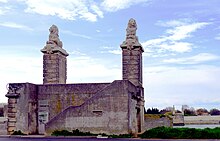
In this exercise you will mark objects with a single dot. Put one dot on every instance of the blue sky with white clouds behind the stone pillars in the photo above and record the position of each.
(181, 40)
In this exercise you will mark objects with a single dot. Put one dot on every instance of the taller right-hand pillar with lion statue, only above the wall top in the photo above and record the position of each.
(132, 55)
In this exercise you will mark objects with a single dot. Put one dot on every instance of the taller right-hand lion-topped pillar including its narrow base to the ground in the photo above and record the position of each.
(132, 68)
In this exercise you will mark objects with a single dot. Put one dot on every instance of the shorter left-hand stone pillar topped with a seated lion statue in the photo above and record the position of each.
(54, 59)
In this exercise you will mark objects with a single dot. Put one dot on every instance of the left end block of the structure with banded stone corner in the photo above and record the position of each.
(22, 108)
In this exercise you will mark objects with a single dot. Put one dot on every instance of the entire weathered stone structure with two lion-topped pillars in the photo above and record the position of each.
(111, 108)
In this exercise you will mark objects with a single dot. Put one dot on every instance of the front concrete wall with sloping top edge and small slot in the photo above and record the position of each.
(105, 112)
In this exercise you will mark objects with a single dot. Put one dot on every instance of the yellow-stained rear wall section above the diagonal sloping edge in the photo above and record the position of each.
(61, 96)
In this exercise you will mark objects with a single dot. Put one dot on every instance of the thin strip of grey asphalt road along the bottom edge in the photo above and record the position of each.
(83, 139)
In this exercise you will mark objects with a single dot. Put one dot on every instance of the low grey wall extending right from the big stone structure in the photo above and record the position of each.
(150, 123)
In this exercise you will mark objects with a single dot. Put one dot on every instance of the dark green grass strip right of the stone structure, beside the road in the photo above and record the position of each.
(182, 133)
